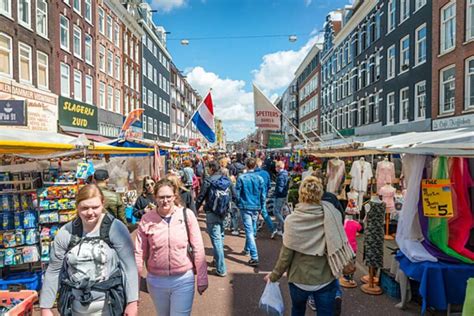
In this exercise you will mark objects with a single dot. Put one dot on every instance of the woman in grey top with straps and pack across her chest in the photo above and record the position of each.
(91, 265)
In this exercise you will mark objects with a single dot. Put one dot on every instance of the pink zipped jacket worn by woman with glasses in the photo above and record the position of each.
(163, 247)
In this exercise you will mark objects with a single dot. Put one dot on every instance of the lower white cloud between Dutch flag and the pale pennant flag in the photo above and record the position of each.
(232, 103)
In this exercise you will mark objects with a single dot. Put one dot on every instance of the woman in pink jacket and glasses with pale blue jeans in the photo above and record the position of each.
(172, 252)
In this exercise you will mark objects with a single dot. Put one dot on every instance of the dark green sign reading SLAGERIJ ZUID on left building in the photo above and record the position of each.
(77, 114)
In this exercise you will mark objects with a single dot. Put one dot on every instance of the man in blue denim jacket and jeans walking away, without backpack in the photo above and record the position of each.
(251, 196)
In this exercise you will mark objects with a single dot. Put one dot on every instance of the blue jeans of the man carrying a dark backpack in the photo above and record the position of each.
(215, 228)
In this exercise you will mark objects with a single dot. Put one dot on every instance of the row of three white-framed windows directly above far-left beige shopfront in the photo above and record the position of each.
(25, 62)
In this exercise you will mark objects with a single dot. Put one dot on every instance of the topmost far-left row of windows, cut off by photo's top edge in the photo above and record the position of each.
(25, 14)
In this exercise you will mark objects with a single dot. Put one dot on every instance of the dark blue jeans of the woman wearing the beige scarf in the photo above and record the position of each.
(324, 299)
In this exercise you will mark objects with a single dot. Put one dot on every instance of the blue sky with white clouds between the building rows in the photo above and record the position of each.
(230, 66)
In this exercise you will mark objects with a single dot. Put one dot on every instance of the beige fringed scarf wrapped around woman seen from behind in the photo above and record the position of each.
(317, 230)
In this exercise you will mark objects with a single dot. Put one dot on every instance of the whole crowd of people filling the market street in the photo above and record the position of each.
(95, 266)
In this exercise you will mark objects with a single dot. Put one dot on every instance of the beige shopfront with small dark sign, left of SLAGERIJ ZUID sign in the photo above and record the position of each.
(27, 108)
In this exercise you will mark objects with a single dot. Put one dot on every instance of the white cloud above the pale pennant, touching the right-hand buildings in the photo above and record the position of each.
(278, 69)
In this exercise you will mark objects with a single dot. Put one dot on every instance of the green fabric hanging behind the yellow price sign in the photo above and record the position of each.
(438, 230)
